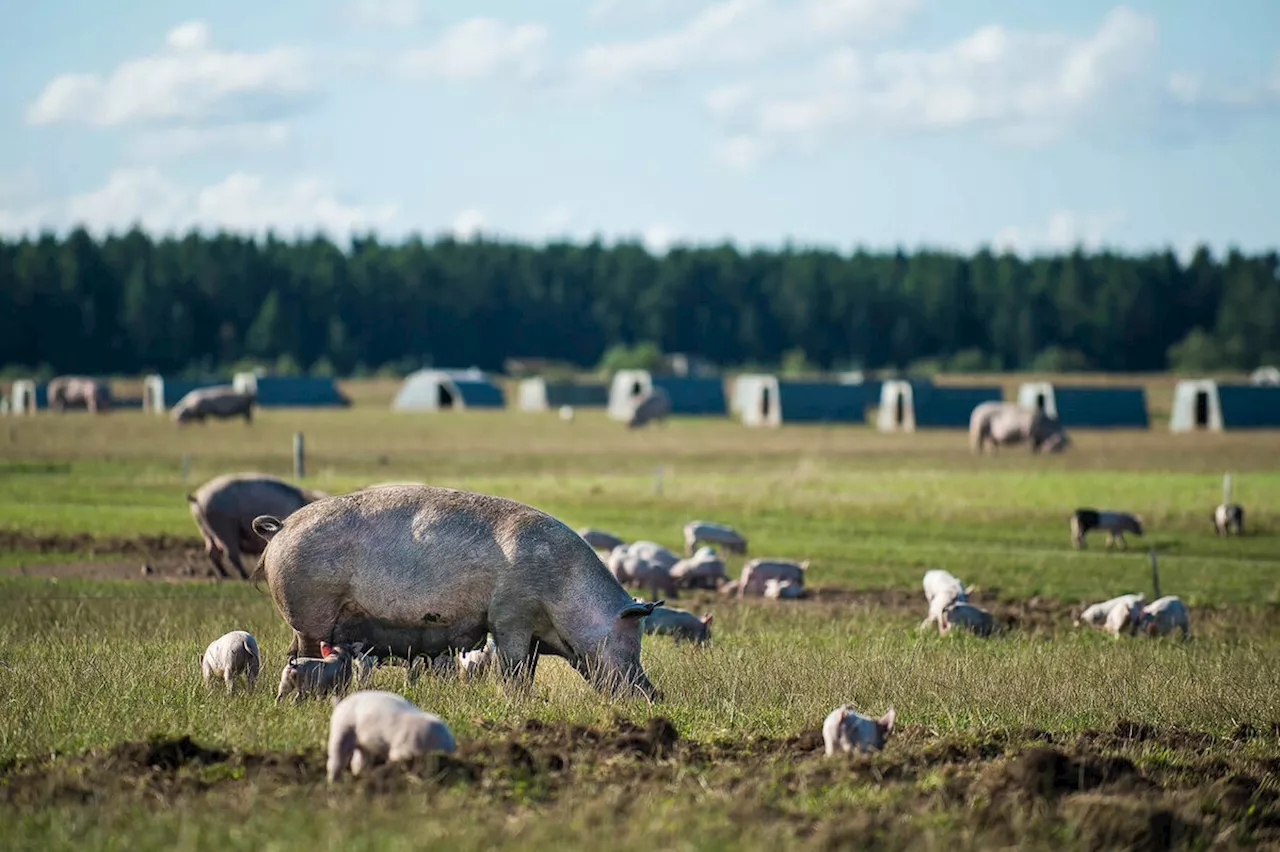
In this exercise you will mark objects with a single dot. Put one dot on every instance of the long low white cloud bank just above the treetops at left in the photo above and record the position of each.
(241, 203)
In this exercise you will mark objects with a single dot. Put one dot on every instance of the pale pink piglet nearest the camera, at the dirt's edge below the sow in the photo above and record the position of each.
(374, 727)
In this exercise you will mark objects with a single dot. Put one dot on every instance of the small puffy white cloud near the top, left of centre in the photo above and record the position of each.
(481, 49)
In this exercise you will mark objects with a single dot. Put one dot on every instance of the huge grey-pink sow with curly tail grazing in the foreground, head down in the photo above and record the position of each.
(432, 570)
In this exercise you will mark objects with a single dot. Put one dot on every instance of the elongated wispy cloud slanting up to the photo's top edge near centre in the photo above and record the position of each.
(738, 33)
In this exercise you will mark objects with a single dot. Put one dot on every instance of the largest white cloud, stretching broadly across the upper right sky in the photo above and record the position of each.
(1027, 86)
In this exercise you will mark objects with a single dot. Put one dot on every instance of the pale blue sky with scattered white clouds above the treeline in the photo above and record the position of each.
(877, 123)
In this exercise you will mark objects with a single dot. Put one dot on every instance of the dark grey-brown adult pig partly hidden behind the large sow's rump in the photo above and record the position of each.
(225, 510)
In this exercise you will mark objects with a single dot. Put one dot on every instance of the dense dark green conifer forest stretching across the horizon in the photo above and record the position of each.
(131, 304)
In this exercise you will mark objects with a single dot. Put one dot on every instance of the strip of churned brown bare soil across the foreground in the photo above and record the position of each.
(1000, 781)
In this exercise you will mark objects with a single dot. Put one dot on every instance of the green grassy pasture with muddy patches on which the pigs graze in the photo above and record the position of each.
(1045, 736)
